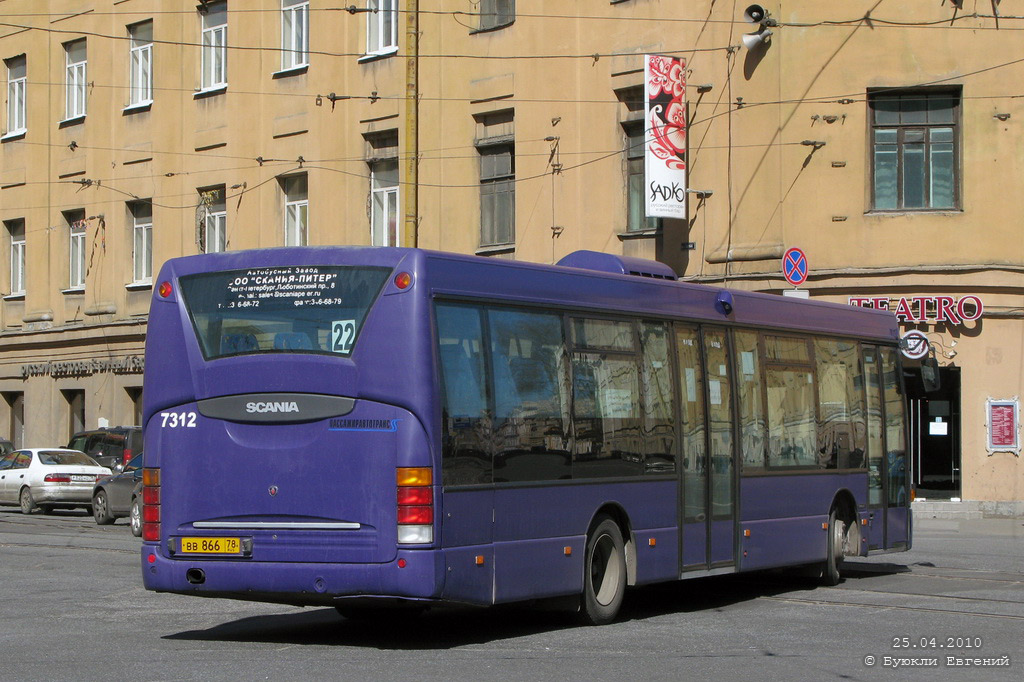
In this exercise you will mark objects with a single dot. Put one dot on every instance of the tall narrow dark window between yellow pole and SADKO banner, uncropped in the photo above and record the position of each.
(496, 146)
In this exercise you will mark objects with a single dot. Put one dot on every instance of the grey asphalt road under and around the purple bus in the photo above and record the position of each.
(72, 608)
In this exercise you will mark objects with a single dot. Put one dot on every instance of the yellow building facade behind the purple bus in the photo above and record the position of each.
(883, 140)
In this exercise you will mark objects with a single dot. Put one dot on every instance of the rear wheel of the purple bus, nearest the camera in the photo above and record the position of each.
(605, 574)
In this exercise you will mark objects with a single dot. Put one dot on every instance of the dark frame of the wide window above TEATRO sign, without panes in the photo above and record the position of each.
(927, 129)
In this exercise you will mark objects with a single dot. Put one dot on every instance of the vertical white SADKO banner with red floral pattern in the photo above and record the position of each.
(665, 160)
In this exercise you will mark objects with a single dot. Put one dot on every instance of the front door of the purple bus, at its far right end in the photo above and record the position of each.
(888, 495)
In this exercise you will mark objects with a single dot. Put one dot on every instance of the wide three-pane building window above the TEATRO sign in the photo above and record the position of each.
(915, 139)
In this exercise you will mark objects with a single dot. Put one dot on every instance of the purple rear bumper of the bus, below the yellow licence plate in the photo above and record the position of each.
(414, 575)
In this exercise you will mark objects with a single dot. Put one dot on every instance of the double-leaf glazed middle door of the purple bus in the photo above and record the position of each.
(706, 466)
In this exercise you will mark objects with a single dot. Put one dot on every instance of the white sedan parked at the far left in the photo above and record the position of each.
(49, 479)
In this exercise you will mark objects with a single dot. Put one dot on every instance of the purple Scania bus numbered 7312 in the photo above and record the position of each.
(376, 428)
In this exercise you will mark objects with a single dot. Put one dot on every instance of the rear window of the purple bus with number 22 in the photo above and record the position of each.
(281, 310)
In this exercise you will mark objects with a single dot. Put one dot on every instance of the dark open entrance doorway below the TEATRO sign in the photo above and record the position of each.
(935, 435)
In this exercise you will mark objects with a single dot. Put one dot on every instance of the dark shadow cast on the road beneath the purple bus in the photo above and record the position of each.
(449, 627)
